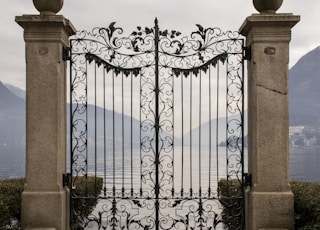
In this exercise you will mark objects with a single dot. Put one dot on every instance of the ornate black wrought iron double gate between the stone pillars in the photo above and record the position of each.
(157, 129)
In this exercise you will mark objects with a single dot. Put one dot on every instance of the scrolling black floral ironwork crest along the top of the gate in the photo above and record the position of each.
(183, 54)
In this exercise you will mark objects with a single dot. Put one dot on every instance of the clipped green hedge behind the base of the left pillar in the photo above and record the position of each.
(10, 200)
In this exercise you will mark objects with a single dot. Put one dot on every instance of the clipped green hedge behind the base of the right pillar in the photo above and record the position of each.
(306, 203)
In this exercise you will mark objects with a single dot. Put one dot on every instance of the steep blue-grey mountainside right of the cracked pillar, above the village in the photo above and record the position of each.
(304, 90)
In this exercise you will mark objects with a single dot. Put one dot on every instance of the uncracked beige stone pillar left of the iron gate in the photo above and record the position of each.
(45, 200)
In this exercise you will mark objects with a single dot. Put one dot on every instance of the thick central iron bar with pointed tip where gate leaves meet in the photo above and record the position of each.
(157, 120)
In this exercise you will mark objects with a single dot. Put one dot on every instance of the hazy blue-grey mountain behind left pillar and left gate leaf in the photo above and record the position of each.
(13, 126)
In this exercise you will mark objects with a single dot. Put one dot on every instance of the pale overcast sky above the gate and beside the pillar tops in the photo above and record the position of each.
(181, 15)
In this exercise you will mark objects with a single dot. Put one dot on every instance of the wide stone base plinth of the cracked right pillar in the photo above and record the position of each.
(270, 210)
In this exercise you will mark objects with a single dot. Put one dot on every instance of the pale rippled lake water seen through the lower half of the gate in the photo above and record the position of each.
(191, 169)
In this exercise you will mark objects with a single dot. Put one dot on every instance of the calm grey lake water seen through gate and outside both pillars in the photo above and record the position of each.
(304, 166)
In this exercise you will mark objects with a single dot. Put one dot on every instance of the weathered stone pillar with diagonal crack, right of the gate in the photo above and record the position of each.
(269, 201)
